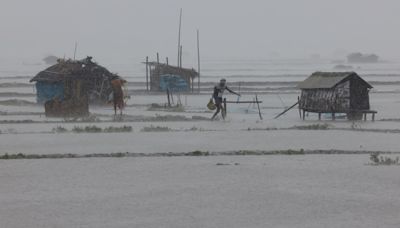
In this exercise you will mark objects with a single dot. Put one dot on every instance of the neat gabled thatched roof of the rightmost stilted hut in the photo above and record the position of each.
(327, 80)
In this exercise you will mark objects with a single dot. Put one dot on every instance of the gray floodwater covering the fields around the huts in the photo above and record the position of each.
(216, 191)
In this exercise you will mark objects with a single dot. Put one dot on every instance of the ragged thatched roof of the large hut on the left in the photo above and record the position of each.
(82, 69)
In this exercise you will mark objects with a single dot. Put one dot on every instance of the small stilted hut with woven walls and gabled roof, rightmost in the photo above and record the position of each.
(335, 92)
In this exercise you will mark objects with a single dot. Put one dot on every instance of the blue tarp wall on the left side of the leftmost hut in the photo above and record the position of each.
(47, 91)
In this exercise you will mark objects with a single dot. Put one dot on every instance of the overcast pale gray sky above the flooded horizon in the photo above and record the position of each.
(123, 30)
